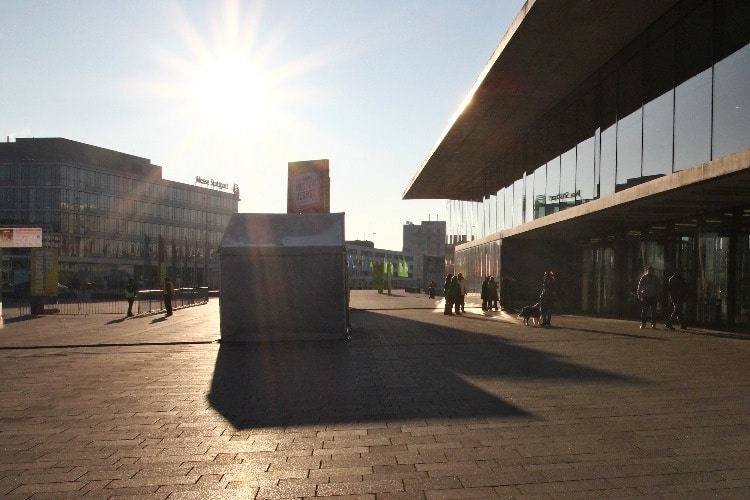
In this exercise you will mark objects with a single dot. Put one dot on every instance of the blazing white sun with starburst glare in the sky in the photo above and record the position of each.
(218, 78)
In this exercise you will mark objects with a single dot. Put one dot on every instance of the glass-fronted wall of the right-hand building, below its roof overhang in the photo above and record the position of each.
(670, 107)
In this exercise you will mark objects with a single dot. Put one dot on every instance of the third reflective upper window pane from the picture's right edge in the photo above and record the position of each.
(657, 135)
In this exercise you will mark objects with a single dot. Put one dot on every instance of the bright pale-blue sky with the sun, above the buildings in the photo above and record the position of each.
(234, 90)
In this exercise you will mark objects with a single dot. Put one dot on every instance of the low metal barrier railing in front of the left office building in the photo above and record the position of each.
(93, 302)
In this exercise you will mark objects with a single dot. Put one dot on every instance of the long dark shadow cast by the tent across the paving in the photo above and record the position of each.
(393, 368)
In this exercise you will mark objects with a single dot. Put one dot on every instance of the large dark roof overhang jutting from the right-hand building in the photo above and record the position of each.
(550, 49)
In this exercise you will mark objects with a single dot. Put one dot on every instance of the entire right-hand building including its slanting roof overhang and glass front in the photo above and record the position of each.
(601, 138)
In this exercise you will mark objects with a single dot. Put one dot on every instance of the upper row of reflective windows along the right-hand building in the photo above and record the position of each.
(705, 117)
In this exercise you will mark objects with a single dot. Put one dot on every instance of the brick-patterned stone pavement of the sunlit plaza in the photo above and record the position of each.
(415, 405)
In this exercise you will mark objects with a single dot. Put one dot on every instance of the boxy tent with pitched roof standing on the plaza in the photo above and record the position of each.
(283, 277)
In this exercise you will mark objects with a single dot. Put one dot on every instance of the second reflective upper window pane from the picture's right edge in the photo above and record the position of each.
(692, 122)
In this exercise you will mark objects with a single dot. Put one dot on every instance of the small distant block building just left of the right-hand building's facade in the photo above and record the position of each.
(426, 240)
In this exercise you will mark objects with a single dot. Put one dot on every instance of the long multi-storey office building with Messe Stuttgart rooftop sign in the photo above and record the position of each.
(110, 215)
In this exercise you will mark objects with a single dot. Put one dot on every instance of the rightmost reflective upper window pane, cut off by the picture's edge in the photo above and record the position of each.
(732, 104)
